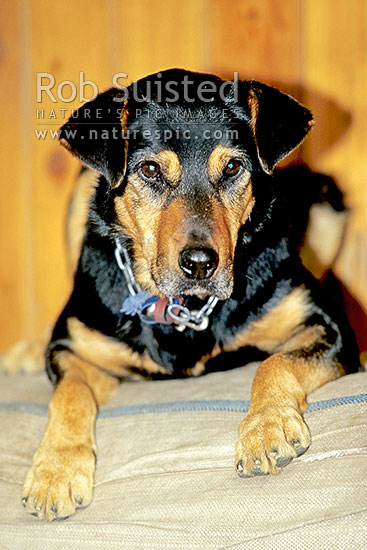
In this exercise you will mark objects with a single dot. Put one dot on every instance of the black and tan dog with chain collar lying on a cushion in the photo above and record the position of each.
(187, 266)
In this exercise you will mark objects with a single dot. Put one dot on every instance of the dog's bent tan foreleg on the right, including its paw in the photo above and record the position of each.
(273, 431)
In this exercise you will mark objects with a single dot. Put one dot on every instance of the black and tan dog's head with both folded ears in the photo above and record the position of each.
(180, 151)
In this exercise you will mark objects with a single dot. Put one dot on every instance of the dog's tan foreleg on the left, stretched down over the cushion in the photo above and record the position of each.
(62, 474)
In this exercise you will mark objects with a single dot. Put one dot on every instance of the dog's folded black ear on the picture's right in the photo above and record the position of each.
(278, 122)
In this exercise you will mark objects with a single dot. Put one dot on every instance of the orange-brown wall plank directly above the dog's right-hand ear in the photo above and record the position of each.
(261, 40)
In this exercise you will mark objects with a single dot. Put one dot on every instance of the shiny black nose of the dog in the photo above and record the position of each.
(198, 263)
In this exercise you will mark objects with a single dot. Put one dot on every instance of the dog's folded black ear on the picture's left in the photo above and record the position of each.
(94, 134)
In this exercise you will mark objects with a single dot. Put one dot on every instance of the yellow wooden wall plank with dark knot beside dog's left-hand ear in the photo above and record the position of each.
(74, 37)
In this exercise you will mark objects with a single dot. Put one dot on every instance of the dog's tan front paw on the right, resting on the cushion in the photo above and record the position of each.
(269, 440)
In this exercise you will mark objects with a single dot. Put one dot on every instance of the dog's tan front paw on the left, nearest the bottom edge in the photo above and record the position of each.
(59, 481)
